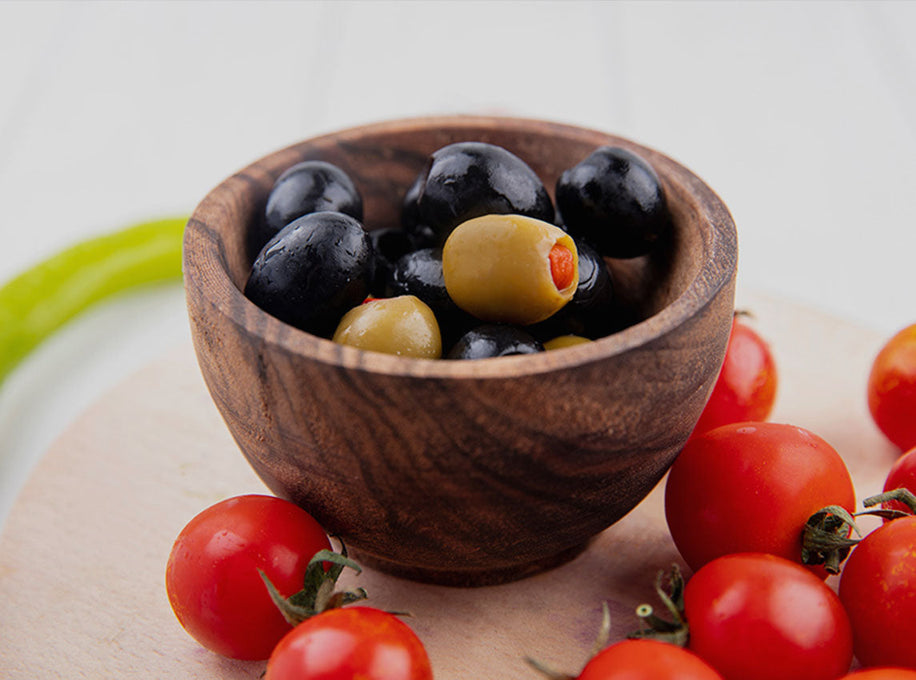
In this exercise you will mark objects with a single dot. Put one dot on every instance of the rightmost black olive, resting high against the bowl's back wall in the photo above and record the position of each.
(614, 200)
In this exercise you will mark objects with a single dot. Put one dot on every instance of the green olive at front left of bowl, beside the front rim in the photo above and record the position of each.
(402, 325)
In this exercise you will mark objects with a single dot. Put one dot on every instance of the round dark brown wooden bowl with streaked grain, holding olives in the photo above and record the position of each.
(463, 472)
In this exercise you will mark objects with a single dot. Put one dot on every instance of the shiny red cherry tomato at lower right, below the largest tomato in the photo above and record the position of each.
(760, 617)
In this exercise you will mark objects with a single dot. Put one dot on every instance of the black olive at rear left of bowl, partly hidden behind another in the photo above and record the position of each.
(307, 187)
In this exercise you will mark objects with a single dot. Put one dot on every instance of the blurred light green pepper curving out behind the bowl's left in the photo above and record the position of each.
(40, 300)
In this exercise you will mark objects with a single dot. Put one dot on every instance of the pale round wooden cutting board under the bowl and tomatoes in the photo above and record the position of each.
(83, 554)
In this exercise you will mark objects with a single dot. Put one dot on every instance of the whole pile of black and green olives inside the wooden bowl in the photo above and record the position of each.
(483, 264)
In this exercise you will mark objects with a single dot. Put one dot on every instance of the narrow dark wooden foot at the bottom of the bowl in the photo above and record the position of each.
(467, 578)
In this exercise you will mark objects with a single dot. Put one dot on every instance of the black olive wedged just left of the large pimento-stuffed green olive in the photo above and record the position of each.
(420, 274)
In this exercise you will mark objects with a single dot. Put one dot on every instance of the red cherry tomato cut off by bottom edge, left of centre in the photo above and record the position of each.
(350, 643)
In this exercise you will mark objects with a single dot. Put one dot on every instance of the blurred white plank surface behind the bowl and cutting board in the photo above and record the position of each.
(801, 116)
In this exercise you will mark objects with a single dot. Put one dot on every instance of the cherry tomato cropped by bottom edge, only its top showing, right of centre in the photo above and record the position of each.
(647, 660)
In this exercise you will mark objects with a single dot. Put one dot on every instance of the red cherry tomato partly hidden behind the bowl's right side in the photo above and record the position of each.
(746, 387)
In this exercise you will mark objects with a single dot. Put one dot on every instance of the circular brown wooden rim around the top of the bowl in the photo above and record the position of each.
(203, 271)
